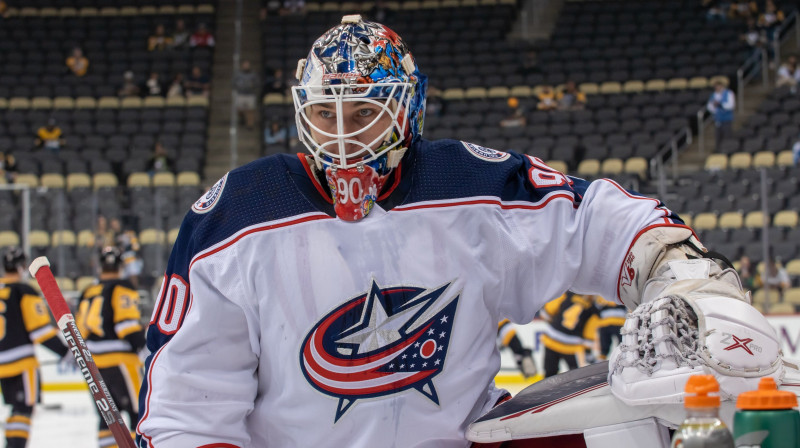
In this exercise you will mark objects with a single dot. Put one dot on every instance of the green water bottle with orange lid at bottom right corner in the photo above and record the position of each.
(766, 418)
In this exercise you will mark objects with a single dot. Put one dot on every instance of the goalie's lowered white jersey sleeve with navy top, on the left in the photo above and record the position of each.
(200, 382)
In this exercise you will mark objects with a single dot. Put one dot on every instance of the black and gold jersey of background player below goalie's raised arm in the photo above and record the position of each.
(572, 323)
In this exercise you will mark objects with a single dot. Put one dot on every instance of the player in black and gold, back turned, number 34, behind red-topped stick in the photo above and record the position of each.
(109, 320)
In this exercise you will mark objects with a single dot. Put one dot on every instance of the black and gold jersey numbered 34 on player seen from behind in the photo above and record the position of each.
(109, 321)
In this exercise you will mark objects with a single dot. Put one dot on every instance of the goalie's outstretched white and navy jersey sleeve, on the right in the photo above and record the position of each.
(574, 234)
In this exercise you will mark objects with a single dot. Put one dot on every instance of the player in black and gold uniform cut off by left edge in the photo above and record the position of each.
(24, 321)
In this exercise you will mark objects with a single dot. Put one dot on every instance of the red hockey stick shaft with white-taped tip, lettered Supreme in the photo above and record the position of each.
(40, 269)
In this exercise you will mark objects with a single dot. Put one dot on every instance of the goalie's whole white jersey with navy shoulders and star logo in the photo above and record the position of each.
(279, 324)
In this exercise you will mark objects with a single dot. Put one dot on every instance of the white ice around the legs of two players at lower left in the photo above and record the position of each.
(73, 425)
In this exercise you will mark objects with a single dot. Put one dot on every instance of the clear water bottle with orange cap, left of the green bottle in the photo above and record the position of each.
(702, 427)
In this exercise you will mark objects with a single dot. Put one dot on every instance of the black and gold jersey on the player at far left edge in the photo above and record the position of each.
(24, 321)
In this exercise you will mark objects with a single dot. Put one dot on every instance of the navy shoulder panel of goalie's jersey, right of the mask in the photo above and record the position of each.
(470, 169)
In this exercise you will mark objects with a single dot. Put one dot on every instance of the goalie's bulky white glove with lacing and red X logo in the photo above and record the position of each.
(698, 326)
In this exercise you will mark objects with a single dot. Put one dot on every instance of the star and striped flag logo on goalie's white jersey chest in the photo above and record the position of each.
(382, 342)
